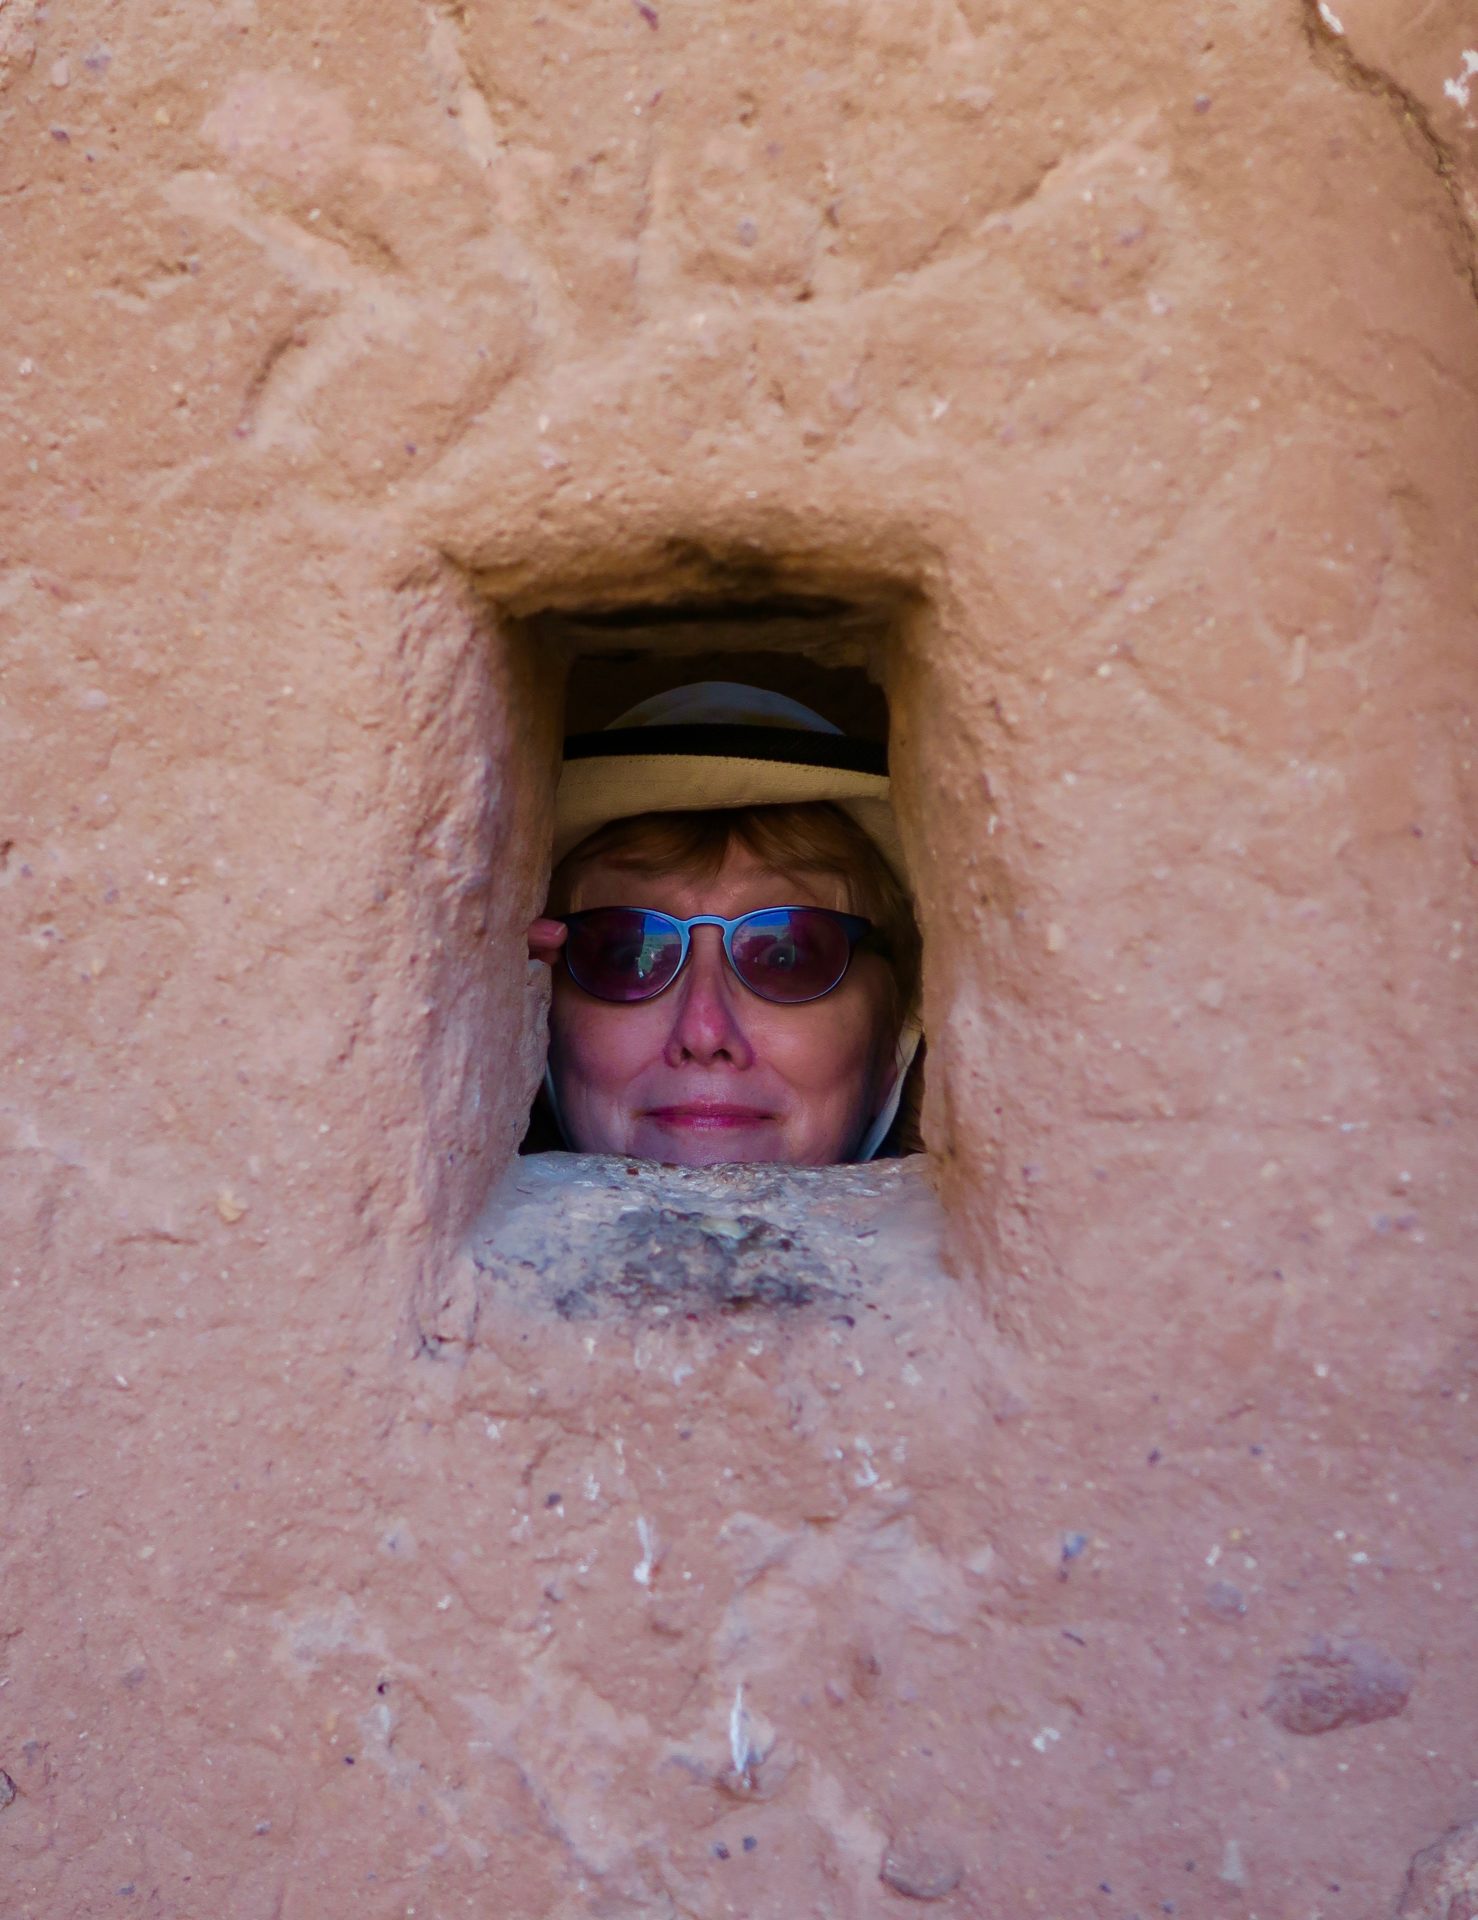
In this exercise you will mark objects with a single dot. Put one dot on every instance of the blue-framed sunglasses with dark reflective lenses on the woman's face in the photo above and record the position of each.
(788, 955)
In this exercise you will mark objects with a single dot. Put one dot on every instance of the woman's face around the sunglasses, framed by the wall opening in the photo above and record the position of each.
(709, 1072)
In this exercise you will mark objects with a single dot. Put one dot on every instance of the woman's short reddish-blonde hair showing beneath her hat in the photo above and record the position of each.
(803, 838)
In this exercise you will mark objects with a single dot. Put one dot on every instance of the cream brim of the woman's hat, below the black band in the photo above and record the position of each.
(604, 788)
